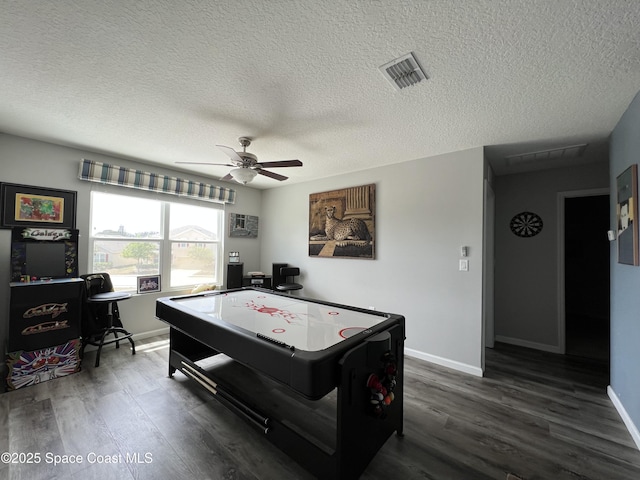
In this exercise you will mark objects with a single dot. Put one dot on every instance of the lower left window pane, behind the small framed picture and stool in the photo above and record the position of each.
(125, 260)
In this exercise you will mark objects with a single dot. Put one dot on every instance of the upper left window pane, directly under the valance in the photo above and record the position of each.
(119, 216)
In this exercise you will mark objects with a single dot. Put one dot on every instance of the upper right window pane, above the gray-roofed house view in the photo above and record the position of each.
(189, 223)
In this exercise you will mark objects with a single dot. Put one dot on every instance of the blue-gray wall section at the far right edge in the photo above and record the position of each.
(625, 284)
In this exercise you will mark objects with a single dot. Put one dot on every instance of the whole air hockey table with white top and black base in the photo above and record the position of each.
(312, 348)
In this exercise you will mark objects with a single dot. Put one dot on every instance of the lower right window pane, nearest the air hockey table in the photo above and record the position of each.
(193, 263)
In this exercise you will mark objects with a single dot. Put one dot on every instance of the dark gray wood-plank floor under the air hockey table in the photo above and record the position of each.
(535, 415)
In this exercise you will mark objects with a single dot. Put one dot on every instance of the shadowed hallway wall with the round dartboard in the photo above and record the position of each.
(526, 275)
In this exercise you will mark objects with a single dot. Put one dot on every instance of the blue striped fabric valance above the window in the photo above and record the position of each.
(93, 171)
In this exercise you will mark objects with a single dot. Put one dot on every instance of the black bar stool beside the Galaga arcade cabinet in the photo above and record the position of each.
(103, 315)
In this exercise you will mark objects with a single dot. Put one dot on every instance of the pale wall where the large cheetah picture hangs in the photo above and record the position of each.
(425, 211)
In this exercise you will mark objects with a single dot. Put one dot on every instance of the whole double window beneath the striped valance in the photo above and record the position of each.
(132, 236)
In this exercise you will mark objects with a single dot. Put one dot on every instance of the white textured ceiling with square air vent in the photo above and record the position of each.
(165, 80)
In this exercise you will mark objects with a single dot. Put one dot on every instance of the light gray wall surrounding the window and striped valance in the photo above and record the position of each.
(31, 162)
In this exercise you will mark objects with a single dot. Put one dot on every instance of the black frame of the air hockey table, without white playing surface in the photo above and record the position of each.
(359, 434)
